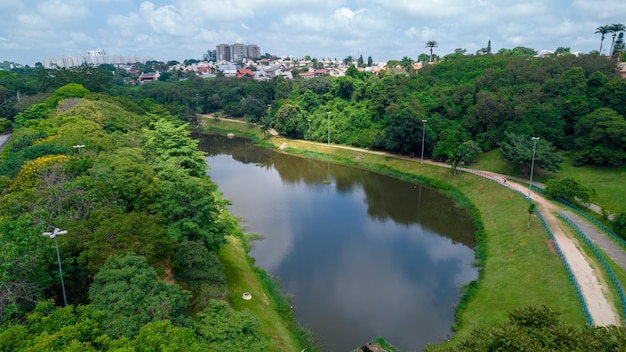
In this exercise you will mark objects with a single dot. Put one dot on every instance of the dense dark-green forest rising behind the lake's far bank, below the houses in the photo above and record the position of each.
(572, 103)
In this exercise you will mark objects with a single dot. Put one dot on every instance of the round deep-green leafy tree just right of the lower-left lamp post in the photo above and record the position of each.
(127, 291)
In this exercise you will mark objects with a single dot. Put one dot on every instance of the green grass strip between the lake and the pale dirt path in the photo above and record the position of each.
(520, 268)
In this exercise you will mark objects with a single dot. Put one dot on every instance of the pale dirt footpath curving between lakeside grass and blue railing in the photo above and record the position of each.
(600, 308)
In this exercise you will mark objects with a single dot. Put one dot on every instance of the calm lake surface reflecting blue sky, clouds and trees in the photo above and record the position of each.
(362, 254)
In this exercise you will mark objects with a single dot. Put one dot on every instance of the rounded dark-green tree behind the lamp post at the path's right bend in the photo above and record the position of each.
(518, 150)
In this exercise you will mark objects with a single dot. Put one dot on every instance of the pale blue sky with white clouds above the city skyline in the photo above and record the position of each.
(34, 30)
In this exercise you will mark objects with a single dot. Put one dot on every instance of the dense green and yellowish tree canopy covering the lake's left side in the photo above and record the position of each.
(143, 223)
